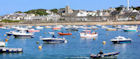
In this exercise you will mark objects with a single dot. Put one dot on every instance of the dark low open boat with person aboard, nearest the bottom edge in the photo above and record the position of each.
(105, 55)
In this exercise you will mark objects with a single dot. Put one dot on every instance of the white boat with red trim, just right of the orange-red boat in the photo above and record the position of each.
(88, 34)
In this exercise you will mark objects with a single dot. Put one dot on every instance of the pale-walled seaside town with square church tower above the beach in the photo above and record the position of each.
(69, 15)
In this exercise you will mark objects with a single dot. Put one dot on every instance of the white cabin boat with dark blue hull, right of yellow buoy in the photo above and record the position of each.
(121, 39)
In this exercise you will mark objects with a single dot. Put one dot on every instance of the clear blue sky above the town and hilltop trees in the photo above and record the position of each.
(11, 6)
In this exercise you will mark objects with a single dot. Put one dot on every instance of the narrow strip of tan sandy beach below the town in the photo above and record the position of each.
(79, 23)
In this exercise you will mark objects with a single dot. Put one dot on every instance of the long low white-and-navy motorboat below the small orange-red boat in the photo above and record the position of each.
(54, 40)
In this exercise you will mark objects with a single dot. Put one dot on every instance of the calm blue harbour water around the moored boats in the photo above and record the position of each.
(75, 48)
